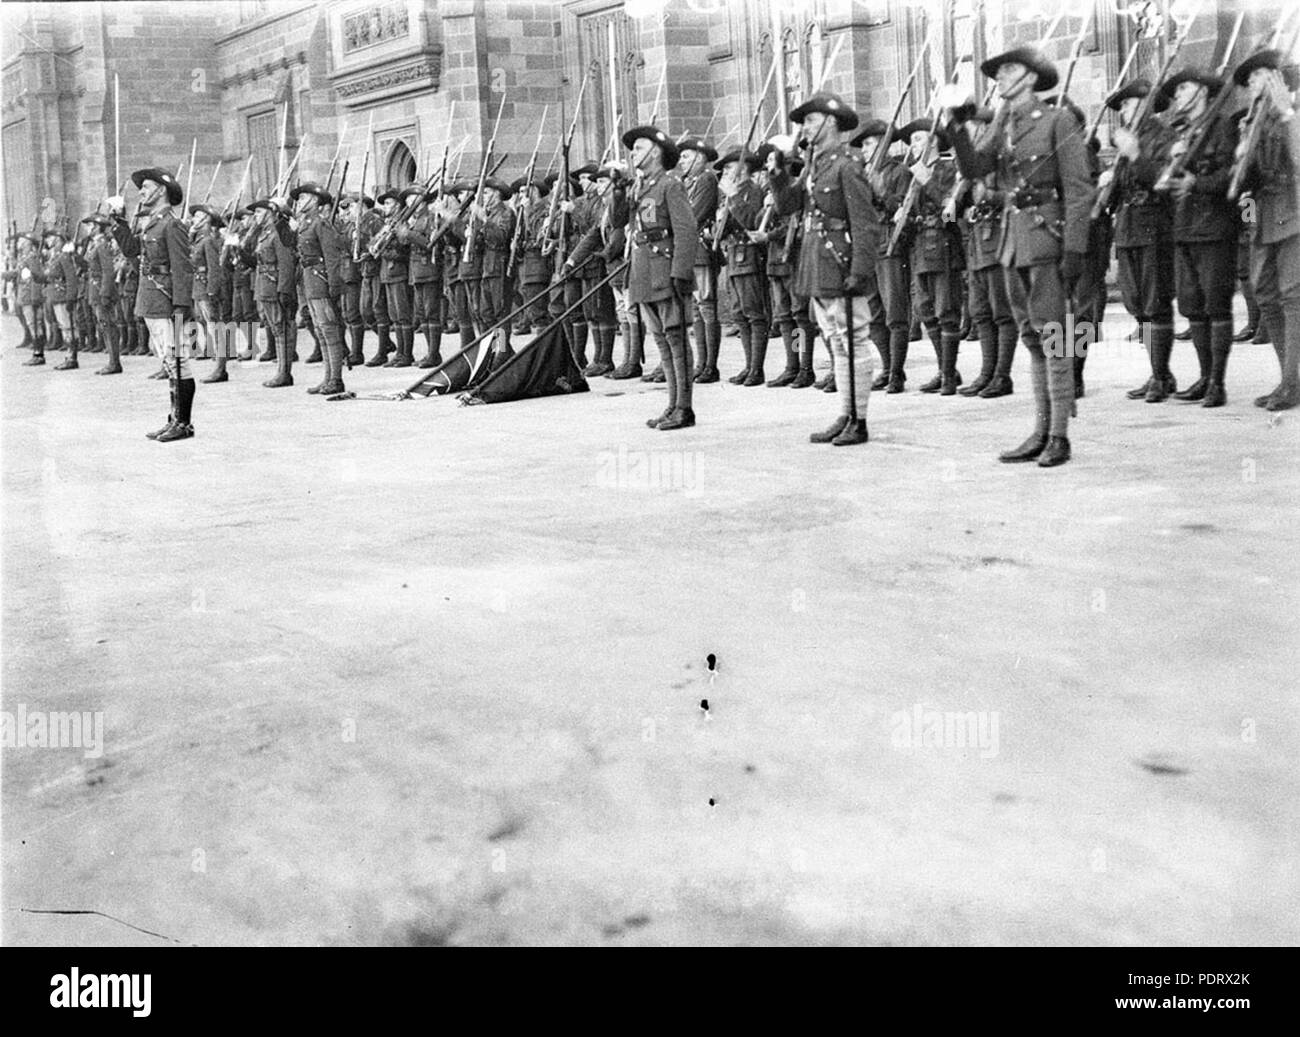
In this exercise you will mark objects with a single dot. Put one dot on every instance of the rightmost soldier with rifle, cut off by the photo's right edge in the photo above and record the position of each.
(1272, 179)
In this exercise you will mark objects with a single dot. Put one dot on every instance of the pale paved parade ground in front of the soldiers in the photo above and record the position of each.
(421, 674)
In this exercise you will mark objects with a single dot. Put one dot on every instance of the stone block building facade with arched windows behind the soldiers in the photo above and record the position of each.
(409, 79)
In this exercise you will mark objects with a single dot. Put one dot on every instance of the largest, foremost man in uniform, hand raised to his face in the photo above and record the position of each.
(1037, 157)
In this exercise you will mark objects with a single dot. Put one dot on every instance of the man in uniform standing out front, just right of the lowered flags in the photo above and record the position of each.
(665, 236)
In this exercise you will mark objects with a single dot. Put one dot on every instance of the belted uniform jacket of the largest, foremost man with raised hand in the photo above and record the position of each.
(1038, 158)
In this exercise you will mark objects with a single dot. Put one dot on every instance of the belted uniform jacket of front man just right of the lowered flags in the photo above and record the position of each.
(665, 238)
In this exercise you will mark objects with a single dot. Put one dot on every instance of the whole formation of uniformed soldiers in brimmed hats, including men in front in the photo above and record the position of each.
(994, 214)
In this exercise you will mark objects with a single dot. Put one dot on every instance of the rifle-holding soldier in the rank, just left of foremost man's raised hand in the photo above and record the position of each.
(935, 254)
